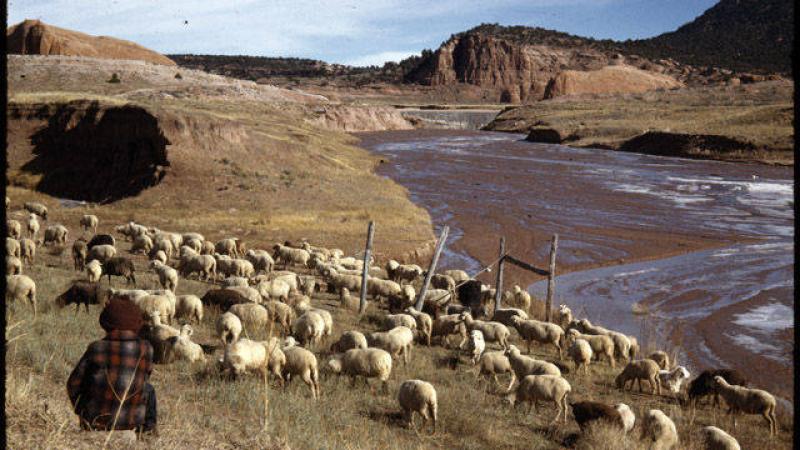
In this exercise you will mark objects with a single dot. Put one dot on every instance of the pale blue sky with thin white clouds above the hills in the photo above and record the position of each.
(356, 32)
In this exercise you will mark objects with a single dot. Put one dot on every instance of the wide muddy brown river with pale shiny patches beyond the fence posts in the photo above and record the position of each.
(706, 247)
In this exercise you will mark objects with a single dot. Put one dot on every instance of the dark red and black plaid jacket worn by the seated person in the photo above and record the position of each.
(121, 361)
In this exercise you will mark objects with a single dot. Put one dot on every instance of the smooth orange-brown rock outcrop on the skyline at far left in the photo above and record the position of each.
(33, 37)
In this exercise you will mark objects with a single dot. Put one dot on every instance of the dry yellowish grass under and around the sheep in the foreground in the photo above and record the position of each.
(198, 408)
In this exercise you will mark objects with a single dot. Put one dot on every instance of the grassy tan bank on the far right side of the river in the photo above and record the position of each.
(754, 121)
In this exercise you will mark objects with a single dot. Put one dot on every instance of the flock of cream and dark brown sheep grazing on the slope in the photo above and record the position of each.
(252, 294)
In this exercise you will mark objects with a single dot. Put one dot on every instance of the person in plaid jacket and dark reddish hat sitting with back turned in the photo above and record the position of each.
(109, 387)
